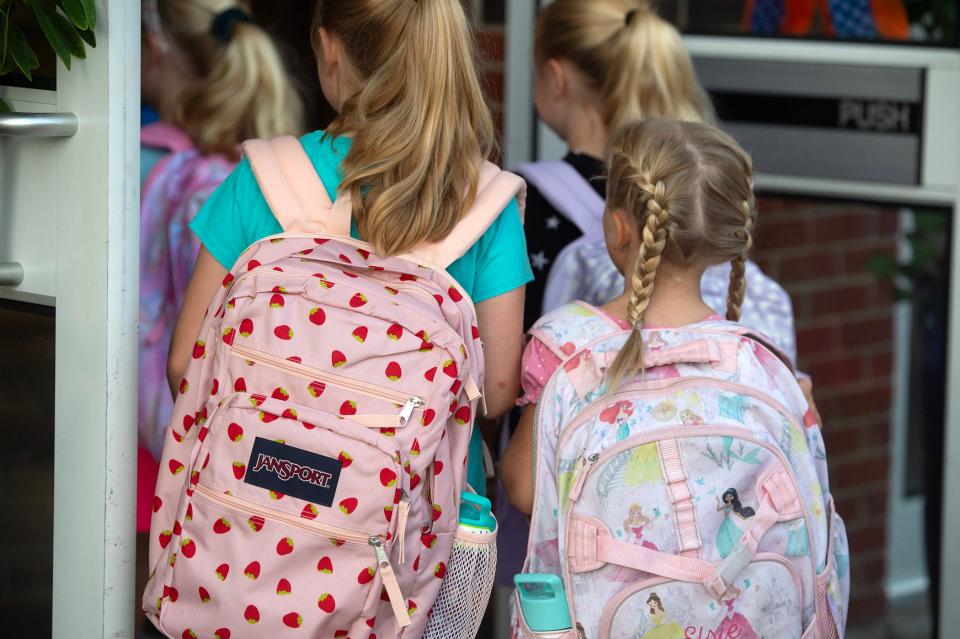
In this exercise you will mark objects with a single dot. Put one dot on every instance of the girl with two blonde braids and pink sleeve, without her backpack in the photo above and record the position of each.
(679, 200)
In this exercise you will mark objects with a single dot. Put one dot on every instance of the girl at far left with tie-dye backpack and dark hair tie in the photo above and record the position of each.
(213, 78)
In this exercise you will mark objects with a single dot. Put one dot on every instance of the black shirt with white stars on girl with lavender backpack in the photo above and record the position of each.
(548, 231)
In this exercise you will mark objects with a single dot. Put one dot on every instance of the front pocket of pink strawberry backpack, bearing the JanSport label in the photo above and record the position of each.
(288, 522)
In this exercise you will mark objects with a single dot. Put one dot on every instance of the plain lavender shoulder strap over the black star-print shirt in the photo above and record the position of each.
(568, 192)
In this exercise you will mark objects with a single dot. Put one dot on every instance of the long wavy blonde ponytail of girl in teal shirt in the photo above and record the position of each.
(420, 124)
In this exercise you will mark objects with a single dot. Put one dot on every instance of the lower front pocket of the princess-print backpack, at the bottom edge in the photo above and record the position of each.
(764, 602)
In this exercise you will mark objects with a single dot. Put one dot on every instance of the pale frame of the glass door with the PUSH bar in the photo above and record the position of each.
(941, 187)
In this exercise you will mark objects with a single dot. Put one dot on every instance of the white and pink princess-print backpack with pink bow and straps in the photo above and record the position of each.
(691, 502)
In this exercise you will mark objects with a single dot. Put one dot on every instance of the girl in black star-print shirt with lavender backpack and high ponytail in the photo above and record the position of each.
(599, 65)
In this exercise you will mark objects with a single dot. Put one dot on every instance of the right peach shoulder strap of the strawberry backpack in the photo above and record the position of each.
(495, 189)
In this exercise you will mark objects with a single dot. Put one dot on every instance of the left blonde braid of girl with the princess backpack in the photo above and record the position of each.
(654, 239)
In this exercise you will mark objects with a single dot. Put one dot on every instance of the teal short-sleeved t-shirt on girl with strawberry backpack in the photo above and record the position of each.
(237, 215)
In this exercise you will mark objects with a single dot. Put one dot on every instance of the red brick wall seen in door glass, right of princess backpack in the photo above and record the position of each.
(818, 251)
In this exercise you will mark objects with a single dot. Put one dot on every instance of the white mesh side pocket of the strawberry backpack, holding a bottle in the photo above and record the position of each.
(466, 588)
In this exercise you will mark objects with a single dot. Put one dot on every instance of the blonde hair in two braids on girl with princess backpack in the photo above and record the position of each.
(688, 188)
